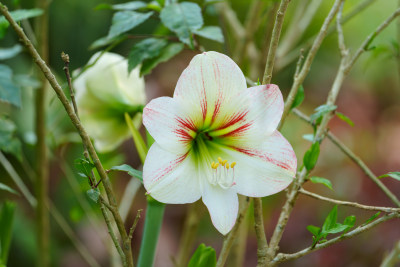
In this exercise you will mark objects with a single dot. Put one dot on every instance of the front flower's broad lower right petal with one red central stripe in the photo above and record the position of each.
(262, 169)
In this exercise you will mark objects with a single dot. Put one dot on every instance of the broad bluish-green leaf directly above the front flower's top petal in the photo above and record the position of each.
(183, 19)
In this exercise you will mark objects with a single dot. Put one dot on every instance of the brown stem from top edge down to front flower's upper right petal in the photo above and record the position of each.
(276, 32)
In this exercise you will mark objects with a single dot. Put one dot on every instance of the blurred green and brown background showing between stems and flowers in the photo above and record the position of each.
(370, 96)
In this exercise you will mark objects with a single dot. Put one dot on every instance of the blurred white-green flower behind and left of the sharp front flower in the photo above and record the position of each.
(104, 93)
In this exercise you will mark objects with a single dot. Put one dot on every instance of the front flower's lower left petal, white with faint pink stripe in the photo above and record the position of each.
(171, 178)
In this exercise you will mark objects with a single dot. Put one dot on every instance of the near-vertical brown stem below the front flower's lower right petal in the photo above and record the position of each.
(262, 244)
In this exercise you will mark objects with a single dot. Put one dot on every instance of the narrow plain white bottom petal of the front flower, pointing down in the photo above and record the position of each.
(223, 206)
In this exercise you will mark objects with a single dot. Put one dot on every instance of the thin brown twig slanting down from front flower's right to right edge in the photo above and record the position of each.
(354, 158)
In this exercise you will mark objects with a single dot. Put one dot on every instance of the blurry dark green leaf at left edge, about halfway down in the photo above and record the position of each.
(9, 143)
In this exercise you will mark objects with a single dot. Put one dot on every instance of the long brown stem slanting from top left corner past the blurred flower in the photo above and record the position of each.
(82, 132)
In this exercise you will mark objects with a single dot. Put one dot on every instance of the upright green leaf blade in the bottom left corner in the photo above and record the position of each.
(6, 223)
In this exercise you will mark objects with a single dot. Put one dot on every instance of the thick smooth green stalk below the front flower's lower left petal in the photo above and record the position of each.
(152, 227)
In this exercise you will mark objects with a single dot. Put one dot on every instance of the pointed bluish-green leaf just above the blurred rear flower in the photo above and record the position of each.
(124, 21)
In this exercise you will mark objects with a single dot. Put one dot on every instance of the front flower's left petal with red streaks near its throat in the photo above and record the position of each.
(170, 124)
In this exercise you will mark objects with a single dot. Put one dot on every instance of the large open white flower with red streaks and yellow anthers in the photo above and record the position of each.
(215, 139)
